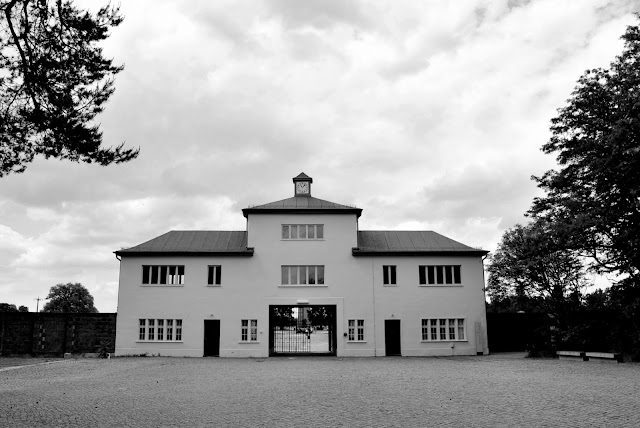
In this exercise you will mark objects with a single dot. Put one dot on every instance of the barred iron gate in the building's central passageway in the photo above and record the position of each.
(302, 330)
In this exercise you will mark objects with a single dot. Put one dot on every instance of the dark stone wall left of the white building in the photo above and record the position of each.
(54, 334)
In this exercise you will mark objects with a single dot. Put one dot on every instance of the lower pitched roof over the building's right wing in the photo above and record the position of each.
(395, 242)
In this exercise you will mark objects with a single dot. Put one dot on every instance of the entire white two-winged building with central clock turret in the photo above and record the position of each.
(302, 279)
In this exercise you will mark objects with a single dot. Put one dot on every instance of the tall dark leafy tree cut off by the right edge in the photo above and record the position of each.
(594, 197)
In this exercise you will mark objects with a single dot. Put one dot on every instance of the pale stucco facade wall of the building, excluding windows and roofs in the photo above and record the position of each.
(251, 284)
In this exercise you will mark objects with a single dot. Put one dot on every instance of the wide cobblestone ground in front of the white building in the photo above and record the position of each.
(321, 392)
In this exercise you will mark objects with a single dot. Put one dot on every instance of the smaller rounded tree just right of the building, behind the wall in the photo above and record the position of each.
(529, 267)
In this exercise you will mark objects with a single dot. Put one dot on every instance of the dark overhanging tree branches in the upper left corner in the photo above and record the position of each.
(54, 80)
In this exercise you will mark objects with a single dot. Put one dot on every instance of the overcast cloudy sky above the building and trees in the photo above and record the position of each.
(428, 115)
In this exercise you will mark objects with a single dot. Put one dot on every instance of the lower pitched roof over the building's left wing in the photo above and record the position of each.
(193, 242)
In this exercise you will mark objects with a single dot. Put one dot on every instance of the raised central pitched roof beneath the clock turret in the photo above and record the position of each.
(302, 205)
